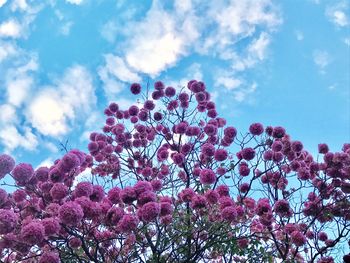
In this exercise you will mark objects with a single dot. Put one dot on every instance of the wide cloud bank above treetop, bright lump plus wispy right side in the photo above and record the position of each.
(190, 26)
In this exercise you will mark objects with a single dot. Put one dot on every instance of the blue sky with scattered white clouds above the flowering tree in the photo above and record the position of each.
(284, 63)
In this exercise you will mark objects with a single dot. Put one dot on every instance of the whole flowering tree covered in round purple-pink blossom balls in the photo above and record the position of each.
(172, 182)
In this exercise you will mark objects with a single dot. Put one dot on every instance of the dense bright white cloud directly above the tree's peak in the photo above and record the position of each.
(154, 46)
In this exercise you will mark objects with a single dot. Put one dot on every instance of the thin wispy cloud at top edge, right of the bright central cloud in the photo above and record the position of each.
(236, 21)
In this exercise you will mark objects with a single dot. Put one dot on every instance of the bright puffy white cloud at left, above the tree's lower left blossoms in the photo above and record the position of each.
(53, 108)
